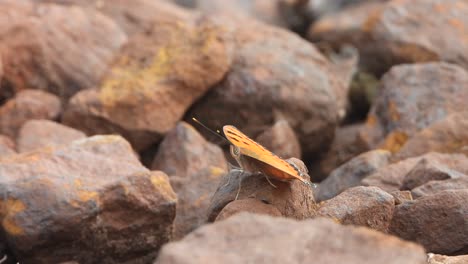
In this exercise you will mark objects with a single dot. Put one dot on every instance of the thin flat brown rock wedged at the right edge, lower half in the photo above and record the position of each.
(433, 187)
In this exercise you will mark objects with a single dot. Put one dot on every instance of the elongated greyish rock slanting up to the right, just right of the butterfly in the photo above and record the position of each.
(351, 173)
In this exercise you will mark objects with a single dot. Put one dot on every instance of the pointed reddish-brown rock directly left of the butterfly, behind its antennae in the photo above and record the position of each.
(184, 152)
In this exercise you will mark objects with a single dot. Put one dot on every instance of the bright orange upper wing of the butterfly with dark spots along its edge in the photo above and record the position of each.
(252, 149)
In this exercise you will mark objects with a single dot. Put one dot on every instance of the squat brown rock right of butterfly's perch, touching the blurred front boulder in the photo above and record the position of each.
(366, 206)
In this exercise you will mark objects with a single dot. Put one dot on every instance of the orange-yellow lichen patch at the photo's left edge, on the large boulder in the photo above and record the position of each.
(9, 209)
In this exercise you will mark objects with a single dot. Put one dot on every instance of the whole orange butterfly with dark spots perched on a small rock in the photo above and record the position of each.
(253, 157)
